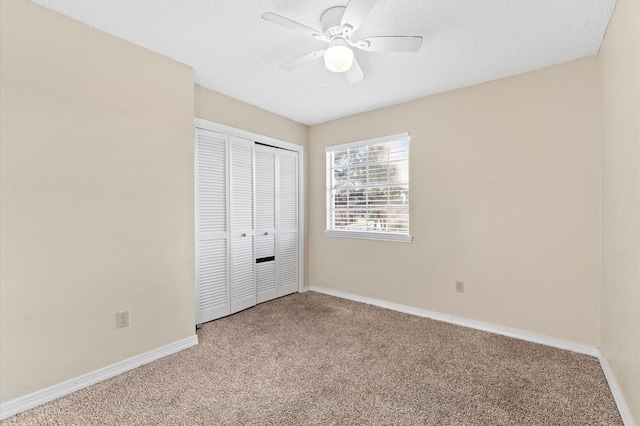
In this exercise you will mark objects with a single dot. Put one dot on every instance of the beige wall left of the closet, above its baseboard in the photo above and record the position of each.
(96, 199)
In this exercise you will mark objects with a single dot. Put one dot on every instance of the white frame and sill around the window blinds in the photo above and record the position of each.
(367, 235)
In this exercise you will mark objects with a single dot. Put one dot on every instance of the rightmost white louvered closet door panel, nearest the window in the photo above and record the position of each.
(287, 222)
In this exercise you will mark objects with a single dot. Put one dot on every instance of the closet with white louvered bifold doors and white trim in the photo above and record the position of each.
(247, 222)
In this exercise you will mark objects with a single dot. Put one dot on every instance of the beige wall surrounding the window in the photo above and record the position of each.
(505, 196)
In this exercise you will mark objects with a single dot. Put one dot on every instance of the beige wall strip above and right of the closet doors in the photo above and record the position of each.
(222, 109)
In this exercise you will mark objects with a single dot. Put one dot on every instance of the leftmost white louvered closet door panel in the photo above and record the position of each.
(212, 284)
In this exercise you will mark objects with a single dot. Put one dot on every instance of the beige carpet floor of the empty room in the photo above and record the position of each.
(313, 359)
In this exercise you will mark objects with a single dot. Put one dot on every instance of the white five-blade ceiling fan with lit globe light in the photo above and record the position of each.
(339, 25)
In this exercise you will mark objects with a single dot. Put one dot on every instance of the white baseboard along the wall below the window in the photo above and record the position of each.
(580, 348)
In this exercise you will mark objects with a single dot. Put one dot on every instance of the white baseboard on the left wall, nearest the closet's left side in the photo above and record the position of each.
(40, 397)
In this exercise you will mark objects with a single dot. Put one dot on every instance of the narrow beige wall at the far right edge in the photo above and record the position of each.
(620, 72)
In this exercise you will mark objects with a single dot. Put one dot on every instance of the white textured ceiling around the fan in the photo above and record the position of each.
(235, 52)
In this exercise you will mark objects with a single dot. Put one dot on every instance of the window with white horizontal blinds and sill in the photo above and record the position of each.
(368, 189)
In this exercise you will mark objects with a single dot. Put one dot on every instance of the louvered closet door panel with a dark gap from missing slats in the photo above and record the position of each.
(265, 211)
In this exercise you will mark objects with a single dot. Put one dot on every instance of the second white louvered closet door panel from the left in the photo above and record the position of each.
(242, 261)
